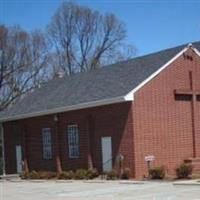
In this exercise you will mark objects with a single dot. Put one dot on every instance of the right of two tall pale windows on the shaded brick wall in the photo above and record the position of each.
(74, 145)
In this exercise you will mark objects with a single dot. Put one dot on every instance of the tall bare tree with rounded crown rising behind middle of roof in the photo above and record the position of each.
(84, 39)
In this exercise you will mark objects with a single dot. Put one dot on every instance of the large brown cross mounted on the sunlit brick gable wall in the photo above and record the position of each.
(192, 95)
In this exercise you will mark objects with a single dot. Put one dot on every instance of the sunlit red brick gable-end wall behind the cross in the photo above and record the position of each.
(163, 126)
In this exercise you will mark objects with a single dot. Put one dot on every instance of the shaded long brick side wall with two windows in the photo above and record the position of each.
(112, 120)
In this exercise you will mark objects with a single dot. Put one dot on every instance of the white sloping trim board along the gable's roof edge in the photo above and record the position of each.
(130, 95)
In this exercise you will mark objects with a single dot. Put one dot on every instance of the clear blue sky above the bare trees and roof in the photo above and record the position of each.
(152, 25)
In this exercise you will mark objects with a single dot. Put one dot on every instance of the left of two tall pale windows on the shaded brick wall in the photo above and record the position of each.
(47, 144)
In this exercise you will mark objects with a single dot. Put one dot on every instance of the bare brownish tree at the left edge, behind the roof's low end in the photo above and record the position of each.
(23, 63)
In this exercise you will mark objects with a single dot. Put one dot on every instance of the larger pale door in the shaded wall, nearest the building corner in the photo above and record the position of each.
(106, 146)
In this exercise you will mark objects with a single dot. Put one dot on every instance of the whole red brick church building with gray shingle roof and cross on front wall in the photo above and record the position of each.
(146, 106)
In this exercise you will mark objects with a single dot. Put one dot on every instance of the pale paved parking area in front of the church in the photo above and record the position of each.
(113, 190)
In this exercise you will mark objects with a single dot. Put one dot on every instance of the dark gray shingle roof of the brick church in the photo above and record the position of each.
(107, 82)
